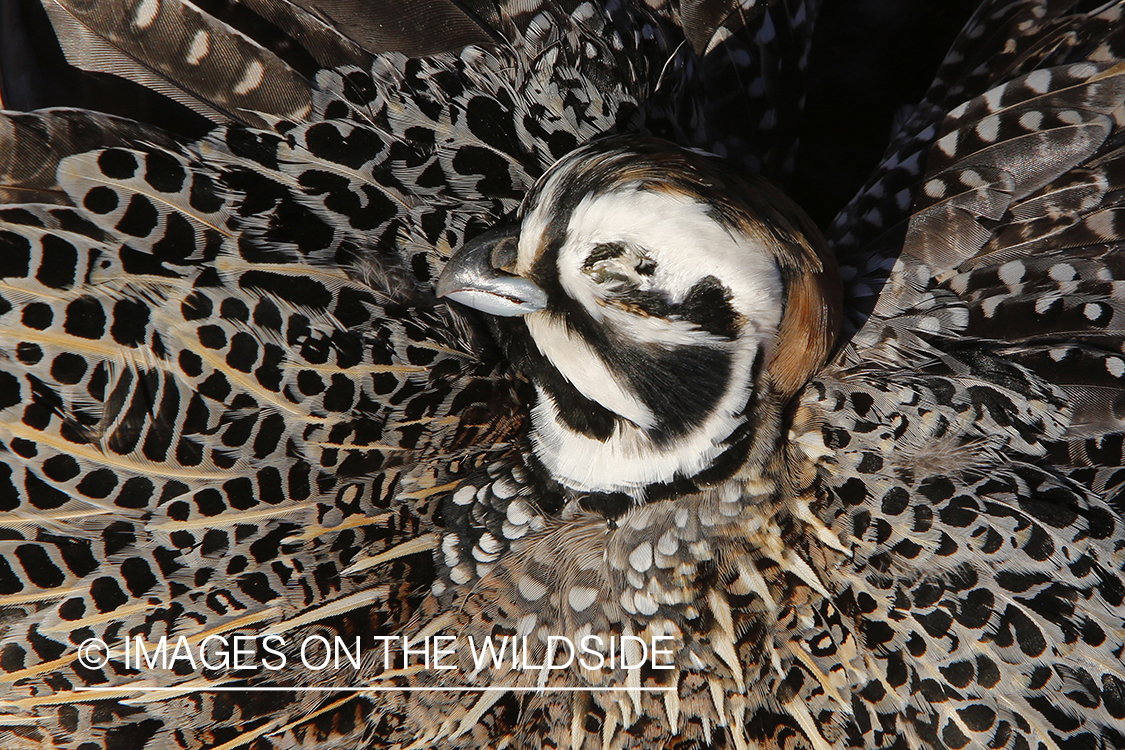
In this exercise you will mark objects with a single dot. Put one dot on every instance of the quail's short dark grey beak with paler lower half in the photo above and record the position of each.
(478, 277)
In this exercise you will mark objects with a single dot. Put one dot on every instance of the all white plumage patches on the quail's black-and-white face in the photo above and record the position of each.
(681, 245)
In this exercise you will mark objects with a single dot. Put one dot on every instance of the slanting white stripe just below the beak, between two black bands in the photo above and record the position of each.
(587, 372)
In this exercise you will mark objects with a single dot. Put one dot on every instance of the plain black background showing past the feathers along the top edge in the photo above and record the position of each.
(870, 59)
